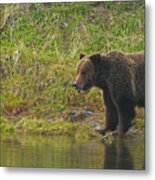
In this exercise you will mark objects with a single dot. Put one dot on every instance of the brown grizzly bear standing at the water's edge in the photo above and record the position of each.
(121, 76)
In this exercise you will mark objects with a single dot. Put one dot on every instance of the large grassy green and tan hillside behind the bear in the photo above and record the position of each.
(40, 46)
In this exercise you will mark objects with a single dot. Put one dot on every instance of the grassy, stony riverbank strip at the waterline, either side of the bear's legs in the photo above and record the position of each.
(82, 125)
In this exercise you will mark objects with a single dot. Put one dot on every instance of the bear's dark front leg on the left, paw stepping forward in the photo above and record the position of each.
(110, 113)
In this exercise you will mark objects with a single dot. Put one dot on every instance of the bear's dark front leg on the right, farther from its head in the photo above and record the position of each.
(126, 112)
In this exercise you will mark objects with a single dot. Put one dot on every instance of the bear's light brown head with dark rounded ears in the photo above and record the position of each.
(86, 74)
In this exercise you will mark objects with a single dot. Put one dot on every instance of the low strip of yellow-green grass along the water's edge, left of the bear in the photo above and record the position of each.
(81, 132)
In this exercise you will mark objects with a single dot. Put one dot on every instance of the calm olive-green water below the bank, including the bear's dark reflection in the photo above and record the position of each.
(66, 152)
